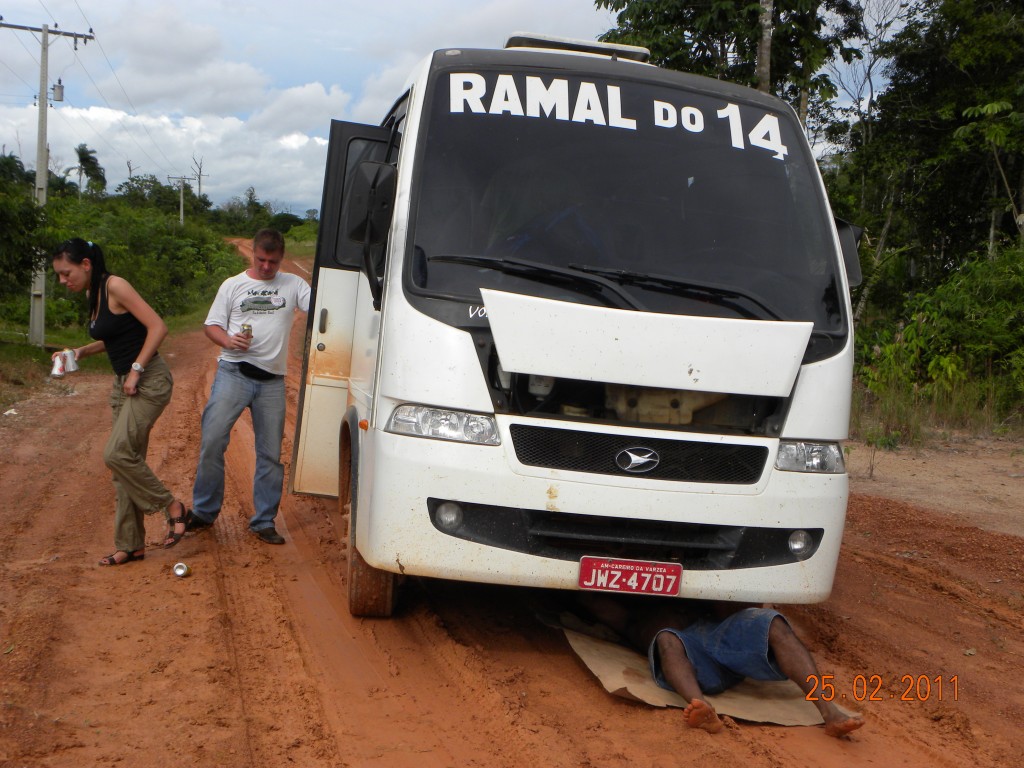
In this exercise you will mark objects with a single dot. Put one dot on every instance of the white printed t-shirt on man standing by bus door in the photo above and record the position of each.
(268, 306)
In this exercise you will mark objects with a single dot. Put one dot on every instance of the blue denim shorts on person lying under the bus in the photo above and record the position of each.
(724, 653)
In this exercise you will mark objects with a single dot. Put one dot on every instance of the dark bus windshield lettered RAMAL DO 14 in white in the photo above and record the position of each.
(626, 194)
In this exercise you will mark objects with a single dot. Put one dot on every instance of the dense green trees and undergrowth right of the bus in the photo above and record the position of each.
(918, 109)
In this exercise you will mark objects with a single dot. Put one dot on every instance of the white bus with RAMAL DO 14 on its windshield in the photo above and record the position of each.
(580, 323)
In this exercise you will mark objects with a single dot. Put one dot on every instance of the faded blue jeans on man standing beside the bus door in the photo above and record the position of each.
(232, 394)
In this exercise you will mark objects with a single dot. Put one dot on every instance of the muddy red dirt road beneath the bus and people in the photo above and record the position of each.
(254, 661)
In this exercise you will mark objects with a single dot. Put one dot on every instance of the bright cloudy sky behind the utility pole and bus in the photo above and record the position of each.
(248, 89)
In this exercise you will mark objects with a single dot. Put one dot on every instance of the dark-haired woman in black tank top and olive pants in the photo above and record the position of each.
(131, 332)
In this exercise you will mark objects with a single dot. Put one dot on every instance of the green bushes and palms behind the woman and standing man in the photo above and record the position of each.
(176, 266)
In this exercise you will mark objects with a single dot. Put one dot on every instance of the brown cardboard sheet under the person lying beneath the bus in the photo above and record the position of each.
(625, 673)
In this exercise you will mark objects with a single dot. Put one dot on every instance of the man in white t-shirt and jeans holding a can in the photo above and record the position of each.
(251, 322)
